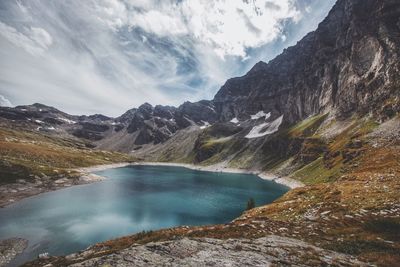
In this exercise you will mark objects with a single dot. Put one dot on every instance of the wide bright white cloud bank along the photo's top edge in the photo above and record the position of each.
(227, 26)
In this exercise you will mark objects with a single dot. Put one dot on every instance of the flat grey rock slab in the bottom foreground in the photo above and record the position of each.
(266, 251)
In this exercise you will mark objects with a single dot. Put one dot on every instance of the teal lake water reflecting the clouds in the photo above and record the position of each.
(131, 200)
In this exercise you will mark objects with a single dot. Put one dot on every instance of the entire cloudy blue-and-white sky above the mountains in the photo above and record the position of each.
(108, 56)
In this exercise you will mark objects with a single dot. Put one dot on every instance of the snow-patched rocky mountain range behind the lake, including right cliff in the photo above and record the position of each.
(348, 67)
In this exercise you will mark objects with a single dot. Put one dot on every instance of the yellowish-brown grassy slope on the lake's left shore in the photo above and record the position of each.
(25, 154)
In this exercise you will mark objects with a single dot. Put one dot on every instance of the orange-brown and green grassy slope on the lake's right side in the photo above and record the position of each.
(350, 204)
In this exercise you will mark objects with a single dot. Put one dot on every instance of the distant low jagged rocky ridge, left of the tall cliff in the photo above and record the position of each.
(144, 125)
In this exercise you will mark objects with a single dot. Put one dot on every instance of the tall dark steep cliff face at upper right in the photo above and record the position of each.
(349, 64)
